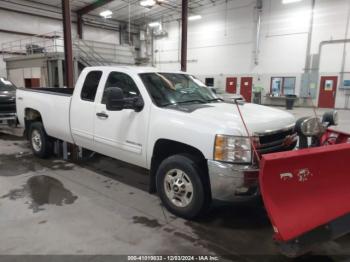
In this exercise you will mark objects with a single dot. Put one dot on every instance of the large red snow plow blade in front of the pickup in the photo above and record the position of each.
(306, 194)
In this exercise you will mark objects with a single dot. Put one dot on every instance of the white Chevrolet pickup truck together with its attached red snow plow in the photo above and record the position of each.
(198, 147)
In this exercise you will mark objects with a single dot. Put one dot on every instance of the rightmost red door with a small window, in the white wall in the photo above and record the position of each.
(328, 89)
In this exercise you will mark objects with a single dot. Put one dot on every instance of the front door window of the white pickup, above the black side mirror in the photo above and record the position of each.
(124, 82)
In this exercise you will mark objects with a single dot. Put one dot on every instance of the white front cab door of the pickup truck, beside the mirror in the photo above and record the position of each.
(121, 134)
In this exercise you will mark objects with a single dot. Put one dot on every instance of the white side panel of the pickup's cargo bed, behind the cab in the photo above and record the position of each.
(53, 105)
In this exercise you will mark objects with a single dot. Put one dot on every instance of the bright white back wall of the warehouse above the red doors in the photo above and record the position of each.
(222, 43)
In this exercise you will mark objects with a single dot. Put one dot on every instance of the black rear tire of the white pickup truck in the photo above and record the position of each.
(46, 147)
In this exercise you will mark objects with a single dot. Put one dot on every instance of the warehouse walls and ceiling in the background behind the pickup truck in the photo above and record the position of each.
(290, 46)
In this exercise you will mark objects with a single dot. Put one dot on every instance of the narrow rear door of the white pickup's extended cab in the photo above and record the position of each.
(83, 110)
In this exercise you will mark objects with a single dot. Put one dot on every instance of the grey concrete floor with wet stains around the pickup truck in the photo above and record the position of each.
(101, 207)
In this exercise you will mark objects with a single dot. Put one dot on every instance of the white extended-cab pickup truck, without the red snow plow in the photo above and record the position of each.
(194, 144)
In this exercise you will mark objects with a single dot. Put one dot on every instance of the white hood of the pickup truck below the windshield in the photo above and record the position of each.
(224, 117)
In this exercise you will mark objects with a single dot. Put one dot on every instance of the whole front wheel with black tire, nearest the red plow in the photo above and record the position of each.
(182, 186)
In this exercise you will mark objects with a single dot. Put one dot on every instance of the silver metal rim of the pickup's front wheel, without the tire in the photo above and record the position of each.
(178, 188)
